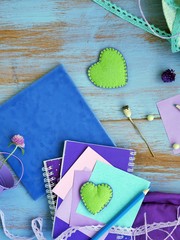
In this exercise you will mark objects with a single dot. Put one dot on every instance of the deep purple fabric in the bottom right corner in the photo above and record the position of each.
(159, 207)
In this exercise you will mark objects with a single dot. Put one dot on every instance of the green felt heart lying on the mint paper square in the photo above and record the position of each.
(95, 197)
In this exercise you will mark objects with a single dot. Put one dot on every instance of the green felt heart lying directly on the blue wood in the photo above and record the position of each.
(110, 71)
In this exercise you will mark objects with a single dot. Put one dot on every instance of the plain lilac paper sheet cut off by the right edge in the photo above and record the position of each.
(171, 119)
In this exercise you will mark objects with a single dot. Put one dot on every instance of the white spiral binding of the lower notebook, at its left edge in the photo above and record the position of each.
(49, 184)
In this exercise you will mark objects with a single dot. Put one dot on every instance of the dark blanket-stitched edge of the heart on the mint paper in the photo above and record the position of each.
(102, 184)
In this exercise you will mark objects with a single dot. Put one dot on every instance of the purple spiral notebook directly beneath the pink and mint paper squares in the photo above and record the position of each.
(118, 157)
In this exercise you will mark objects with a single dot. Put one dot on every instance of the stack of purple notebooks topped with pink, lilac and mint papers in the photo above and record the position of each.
(82, 162)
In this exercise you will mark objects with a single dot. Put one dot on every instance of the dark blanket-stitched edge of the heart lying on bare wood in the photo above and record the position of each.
(100, 59)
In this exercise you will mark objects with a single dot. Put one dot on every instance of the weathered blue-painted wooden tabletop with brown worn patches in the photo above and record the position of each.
(36, 35)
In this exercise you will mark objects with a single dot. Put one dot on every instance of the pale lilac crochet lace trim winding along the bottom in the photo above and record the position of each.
(37, 224)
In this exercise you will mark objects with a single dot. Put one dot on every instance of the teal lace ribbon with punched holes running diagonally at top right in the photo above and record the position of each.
(139, 22)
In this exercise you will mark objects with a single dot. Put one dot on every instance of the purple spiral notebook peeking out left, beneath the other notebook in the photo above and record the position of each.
(51, 172)
